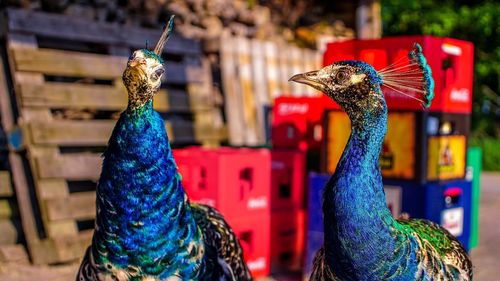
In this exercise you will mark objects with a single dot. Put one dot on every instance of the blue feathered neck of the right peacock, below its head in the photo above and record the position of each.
(357, 221)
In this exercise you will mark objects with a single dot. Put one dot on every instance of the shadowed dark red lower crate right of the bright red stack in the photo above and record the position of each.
(287, 240)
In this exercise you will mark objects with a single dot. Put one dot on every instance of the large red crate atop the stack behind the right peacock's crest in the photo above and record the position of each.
(451, 61)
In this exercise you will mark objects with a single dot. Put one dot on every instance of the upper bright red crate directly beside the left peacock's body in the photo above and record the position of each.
(235, 181)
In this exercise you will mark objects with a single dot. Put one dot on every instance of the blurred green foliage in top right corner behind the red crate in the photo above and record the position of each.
(475, 21)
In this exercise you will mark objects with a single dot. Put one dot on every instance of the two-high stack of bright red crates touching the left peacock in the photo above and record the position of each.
(237, 183)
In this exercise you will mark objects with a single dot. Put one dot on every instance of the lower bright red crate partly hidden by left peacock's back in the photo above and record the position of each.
(254, 235)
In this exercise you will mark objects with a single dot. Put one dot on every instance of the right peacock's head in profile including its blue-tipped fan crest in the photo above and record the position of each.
(356, 86)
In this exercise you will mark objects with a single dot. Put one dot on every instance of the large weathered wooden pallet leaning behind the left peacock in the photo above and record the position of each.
(66, 76)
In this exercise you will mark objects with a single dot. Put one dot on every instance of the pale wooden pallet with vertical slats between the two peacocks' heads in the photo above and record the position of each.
(254, 73)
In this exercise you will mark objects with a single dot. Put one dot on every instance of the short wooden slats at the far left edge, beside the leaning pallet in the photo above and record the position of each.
(11, 249)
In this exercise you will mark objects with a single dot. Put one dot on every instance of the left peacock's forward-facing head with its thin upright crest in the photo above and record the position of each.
(142, 76)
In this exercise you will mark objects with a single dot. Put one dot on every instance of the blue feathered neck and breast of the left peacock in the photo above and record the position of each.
(143, 219)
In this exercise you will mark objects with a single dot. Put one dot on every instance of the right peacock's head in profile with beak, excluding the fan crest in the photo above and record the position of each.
(354, 85)
